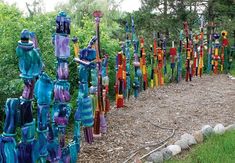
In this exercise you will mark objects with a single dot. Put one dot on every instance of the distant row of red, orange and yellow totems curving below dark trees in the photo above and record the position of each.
(218, 56)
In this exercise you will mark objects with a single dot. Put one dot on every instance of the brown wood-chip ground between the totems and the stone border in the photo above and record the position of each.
(186, 107)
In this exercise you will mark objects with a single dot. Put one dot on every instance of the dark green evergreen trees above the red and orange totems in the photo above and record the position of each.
(167, 16)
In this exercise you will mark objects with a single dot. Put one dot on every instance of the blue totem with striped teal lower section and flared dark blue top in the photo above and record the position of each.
(85, 103)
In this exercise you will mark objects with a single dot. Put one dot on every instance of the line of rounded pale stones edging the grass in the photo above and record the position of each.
(186, 140)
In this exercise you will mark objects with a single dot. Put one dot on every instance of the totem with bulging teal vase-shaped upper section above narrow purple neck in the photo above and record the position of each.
(30, 65)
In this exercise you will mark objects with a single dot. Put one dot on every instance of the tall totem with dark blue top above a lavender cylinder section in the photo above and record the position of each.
(61, 109)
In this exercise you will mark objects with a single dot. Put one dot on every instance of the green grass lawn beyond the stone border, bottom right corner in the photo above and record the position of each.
(216, 149)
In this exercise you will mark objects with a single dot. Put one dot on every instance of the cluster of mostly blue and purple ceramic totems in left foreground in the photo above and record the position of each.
(43, 139)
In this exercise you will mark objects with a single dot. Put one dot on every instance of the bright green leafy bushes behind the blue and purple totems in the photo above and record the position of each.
(12, 22)
